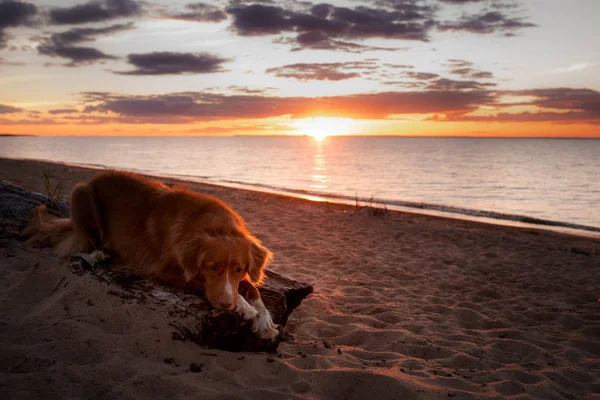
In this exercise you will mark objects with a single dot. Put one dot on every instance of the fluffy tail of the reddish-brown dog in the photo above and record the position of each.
(47, 230)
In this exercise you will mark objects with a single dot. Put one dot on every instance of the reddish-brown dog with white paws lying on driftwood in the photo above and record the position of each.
(178, 236)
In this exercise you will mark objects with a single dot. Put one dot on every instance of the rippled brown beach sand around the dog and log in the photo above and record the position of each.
(406, 306)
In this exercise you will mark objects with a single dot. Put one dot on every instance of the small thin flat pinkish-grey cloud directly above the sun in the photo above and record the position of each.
(323, 71)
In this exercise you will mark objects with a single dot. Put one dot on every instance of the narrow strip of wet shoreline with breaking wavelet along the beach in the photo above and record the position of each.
(434, 210)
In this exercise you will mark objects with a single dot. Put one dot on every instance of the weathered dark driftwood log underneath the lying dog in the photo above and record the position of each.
(192, 318)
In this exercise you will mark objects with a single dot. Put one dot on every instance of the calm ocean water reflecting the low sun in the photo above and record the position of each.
(545, 179)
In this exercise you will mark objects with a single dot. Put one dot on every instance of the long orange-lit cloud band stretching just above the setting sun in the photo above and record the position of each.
(444, 101)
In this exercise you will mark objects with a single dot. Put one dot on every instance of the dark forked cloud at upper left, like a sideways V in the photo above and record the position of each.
(62, 44)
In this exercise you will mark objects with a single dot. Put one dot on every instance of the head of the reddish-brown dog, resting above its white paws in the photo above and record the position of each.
(222, 261)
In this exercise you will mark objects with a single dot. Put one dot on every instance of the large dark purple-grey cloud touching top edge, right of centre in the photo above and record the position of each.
(328, 27)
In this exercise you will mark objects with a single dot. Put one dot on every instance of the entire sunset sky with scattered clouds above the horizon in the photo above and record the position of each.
(516, 68)
